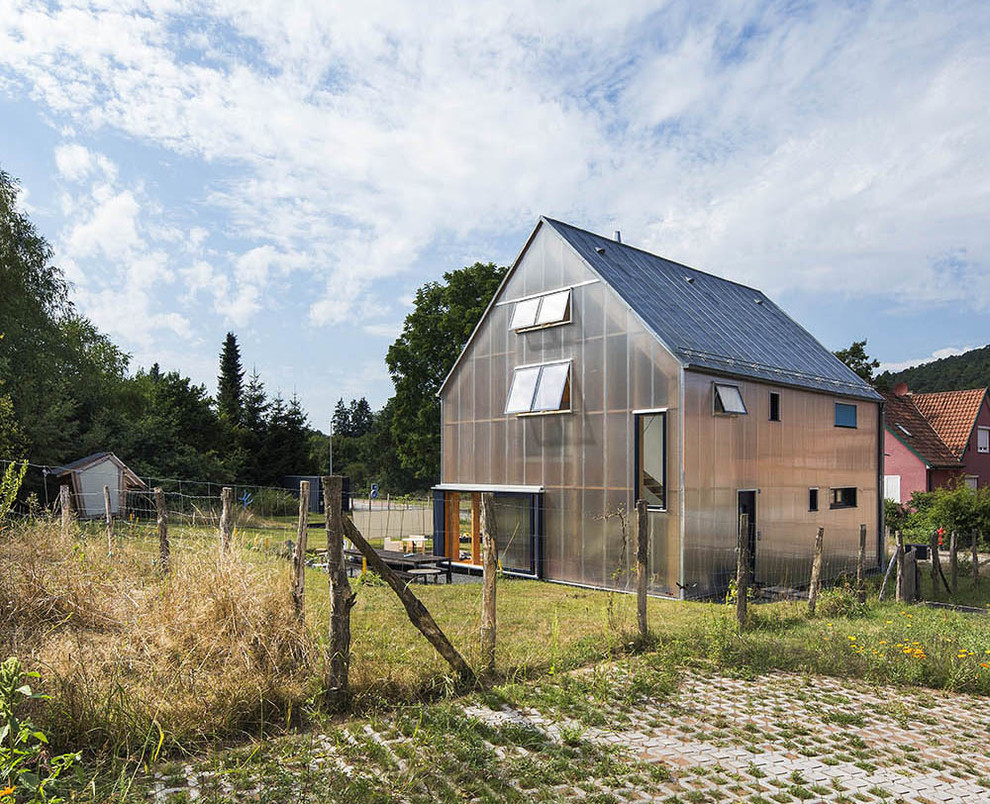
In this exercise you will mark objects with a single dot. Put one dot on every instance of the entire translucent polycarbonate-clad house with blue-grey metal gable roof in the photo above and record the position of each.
(601, 374)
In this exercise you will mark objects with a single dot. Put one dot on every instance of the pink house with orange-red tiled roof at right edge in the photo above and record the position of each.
(934, 440)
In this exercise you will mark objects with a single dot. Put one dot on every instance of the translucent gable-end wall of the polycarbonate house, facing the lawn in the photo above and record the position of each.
(583, 458)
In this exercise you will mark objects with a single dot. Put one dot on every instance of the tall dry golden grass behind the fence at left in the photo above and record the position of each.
(137, 664)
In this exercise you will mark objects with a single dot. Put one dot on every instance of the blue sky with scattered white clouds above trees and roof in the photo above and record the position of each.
(293, 171)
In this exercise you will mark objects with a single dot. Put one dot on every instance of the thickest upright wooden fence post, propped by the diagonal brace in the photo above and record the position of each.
(342, 599)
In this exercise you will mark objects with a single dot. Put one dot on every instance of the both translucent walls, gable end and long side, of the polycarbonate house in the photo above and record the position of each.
(584, 460)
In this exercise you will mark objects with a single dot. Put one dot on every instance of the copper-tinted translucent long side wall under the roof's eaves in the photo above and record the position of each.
(782, 461)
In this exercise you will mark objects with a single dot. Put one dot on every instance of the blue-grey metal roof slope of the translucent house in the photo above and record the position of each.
(714, 324)
